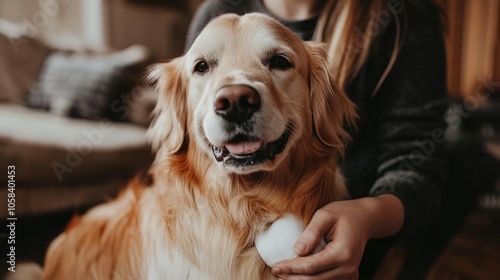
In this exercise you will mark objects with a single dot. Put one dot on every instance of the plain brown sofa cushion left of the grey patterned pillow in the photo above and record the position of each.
(20, 61)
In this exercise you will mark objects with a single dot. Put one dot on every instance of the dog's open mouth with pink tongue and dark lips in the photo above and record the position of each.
(245, 151)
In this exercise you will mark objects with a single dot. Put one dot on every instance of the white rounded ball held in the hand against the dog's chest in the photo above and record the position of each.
(275, 244)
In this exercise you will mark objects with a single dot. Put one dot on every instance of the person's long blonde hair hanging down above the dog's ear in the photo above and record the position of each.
(349, 27)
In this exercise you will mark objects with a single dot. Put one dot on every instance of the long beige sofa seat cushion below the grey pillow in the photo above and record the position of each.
(47, 148)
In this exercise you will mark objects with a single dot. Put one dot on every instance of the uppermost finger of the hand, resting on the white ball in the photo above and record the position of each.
(320, 224)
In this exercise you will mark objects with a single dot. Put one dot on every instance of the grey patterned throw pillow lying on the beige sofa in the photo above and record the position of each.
(83, 85)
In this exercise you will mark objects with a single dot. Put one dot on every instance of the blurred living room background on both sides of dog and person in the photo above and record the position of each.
(74, 111)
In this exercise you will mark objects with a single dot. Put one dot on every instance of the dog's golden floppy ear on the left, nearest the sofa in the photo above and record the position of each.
(167, 132)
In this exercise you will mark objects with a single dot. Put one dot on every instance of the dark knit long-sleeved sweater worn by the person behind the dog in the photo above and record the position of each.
(396, 148)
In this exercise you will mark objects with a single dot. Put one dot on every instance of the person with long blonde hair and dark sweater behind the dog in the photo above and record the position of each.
(388, 55)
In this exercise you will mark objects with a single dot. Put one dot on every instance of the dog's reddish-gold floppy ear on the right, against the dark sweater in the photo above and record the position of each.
(331, 108)
